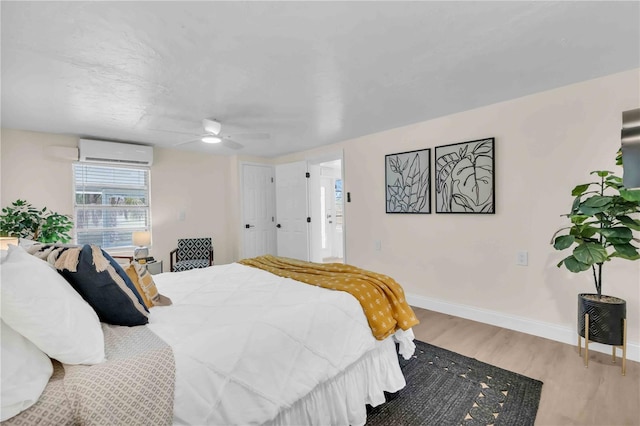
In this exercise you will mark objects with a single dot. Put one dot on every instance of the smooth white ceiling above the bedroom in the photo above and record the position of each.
(307, 73)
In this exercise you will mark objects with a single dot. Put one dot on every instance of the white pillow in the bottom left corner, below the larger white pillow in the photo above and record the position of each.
(25, 372)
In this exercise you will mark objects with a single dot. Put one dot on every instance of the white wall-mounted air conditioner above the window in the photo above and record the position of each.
(115, 153)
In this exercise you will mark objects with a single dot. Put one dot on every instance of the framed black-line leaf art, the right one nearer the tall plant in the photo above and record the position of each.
(465, 177)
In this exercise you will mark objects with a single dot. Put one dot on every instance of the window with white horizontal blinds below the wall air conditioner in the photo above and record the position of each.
(111, 202)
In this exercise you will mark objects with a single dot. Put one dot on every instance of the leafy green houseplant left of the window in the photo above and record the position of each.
(21, 219)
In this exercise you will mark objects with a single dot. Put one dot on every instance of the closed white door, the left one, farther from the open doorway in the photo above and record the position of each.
(258, 210)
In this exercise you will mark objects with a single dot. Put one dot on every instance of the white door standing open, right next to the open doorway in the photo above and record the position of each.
(292, 210)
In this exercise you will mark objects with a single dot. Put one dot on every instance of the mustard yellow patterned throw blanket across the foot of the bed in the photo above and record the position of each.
(381, 297)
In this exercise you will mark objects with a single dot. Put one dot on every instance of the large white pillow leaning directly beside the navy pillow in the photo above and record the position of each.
(38, 303)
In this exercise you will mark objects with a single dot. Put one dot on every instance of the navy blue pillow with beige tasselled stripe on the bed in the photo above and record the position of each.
(103, 283)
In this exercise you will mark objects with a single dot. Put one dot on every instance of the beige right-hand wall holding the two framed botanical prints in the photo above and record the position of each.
(545, 145)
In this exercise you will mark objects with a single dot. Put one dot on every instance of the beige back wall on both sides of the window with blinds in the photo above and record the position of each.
(35, 167)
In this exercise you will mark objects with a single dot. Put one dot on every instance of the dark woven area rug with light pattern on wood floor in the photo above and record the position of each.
(446, 388)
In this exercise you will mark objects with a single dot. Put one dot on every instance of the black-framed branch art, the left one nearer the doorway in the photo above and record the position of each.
(408, 182)
